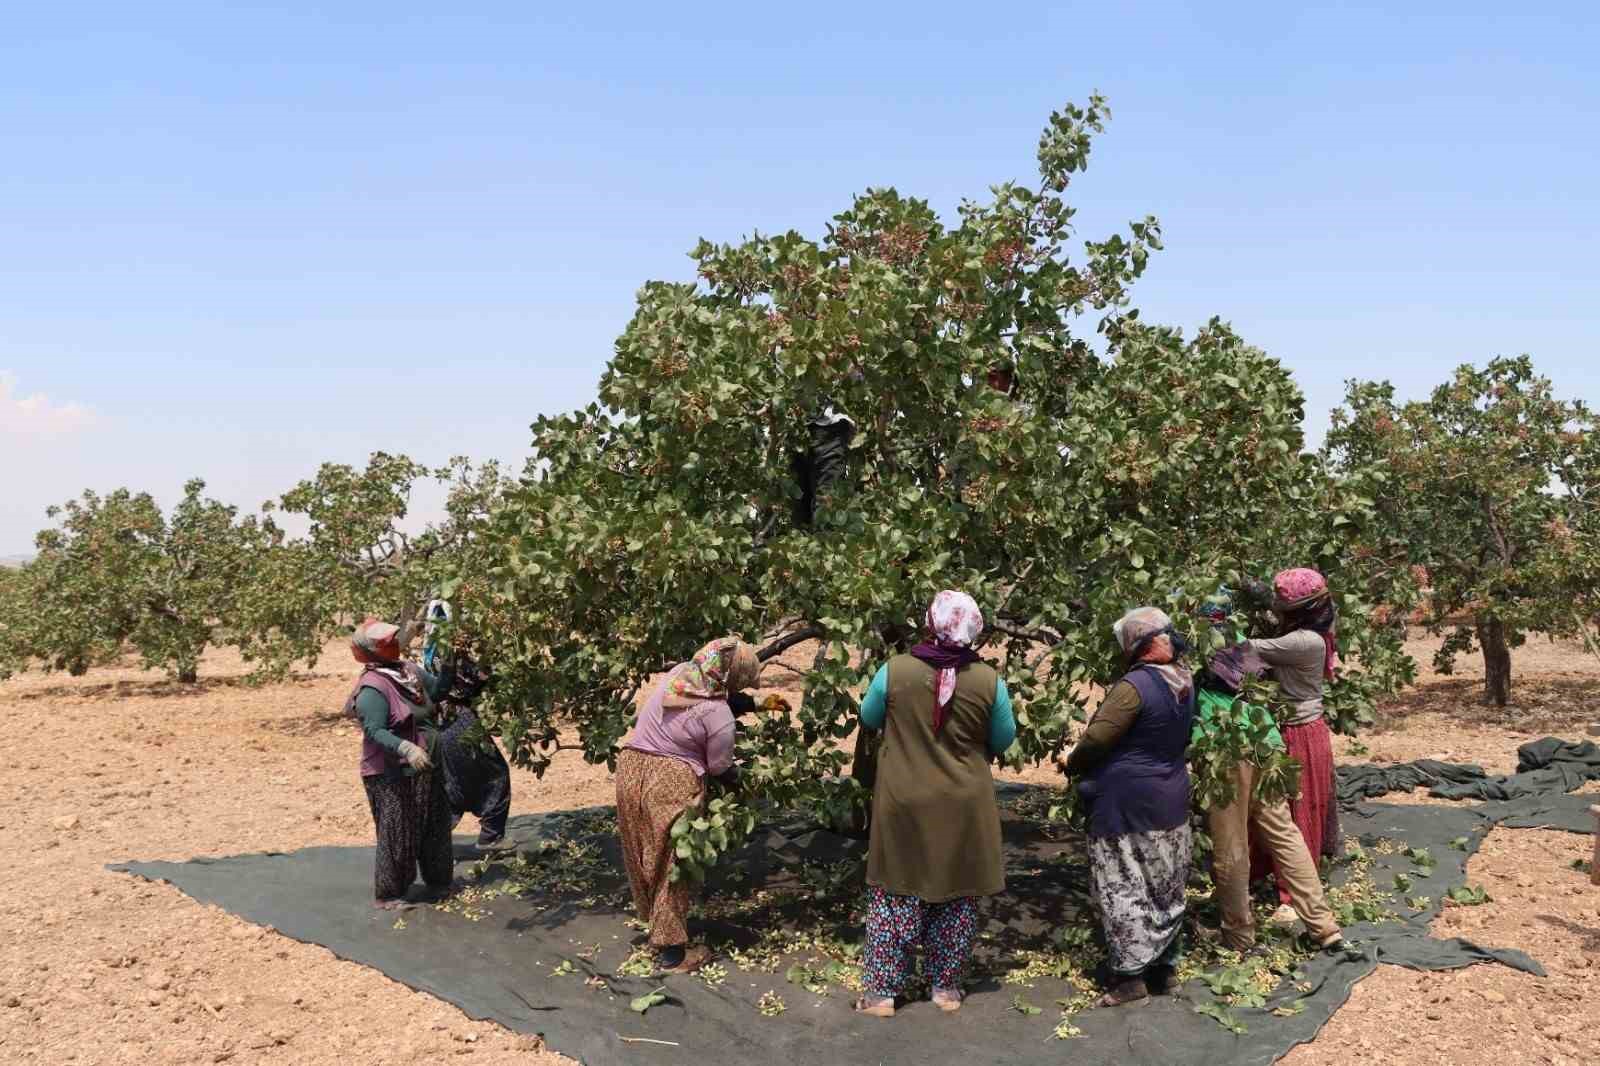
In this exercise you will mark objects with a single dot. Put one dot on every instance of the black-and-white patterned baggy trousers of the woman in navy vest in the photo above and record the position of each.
(1140, 883)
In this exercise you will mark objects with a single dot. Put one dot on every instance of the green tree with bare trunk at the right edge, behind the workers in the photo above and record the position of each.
(1490, 487)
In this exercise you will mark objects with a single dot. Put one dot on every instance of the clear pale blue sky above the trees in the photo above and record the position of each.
(239, 239)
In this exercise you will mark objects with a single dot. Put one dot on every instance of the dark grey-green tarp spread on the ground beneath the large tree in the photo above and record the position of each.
(502, 966)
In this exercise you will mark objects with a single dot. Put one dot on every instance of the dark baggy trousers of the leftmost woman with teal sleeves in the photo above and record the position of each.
(412, 817)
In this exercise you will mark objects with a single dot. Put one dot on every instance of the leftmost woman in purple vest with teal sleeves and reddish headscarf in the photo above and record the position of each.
(394, 703)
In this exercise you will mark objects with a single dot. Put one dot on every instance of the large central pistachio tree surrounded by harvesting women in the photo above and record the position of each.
(663, 515)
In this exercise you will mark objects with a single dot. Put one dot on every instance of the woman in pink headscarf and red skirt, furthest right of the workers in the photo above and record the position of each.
(1303, 659)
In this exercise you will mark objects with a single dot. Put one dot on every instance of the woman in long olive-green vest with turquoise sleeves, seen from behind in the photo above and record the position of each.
(935, 844)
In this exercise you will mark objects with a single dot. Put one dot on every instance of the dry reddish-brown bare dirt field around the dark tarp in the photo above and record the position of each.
(97, 968)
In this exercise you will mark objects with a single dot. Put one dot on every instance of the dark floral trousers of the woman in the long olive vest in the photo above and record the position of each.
(897, 926)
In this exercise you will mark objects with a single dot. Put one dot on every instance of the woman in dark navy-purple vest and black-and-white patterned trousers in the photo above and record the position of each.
(1132, 772)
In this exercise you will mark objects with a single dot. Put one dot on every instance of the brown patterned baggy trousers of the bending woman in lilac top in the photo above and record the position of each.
(652, 793)
